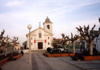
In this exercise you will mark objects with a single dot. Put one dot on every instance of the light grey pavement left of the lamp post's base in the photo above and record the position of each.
(20, 64)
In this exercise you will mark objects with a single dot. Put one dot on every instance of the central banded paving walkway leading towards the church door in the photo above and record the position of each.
(52, 63)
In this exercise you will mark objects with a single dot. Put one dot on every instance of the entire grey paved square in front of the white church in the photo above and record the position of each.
(40, 62)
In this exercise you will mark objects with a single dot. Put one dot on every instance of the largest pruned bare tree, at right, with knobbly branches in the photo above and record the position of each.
(87, 35)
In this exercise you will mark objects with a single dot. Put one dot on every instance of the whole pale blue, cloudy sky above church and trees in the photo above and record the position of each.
(66, 15)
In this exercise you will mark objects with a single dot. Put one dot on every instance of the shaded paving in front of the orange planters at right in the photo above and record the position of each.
(85, 65)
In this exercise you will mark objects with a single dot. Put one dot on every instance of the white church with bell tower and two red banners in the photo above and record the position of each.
(41, 38)
